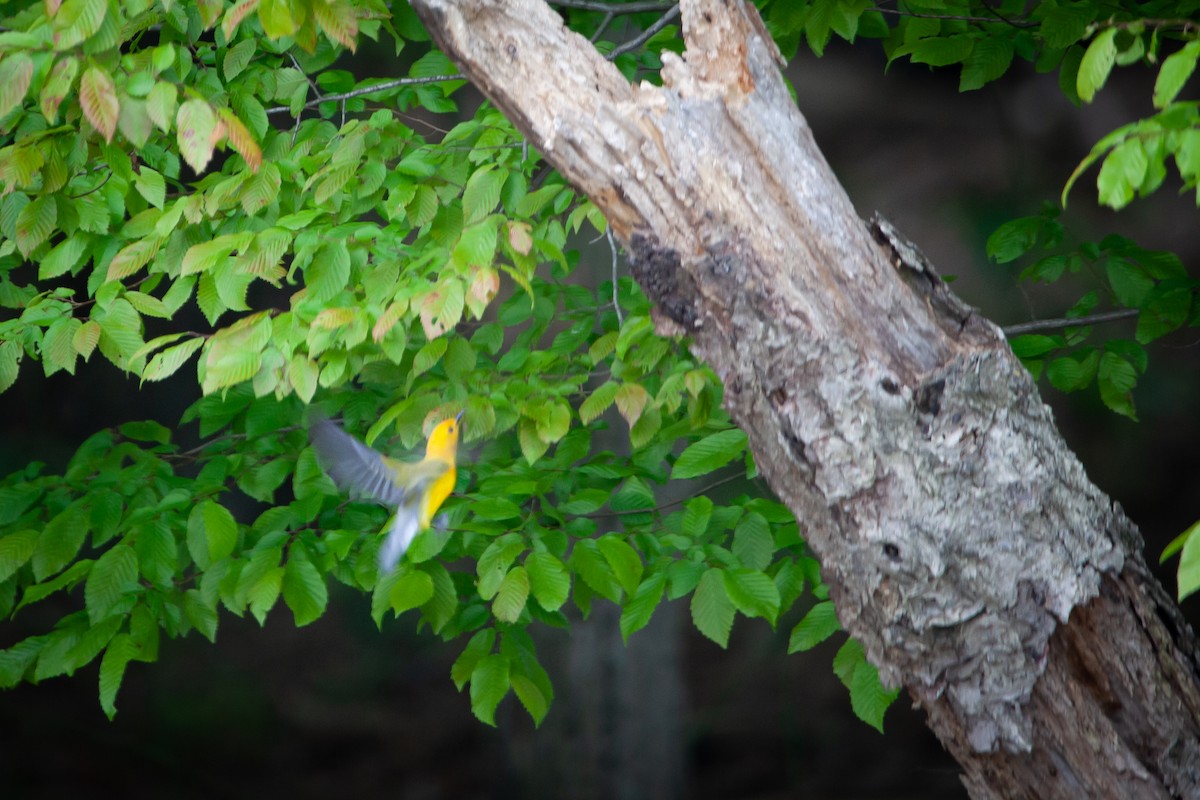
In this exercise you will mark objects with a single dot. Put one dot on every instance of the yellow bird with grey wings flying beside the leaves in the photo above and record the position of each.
(415, 490)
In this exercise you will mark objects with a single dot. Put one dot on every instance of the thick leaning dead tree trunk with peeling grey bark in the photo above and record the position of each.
(962, 540)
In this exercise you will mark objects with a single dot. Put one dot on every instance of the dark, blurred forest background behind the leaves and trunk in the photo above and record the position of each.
(340, 709)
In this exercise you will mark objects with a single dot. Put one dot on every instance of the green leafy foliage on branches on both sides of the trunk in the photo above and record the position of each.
(219, 183)
